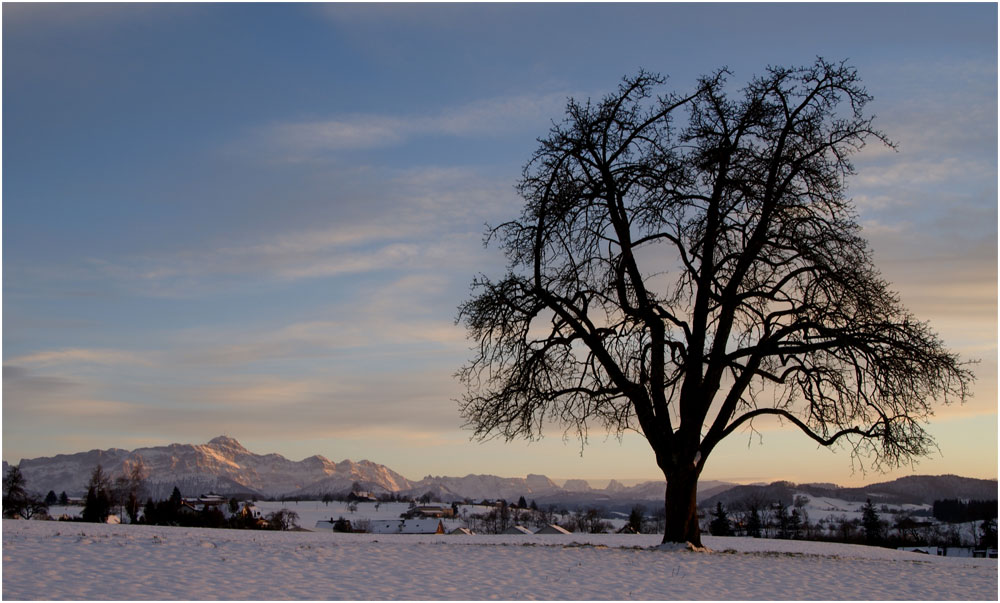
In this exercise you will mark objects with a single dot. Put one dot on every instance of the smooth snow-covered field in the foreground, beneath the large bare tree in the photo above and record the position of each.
(62, 560)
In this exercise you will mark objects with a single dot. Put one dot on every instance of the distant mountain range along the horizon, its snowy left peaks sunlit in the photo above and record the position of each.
(224, 466)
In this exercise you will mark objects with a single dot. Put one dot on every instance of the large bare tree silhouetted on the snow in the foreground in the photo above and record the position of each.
(687, 264)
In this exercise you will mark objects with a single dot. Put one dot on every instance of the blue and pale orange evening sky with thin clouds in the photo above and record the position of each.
(259, 220)
